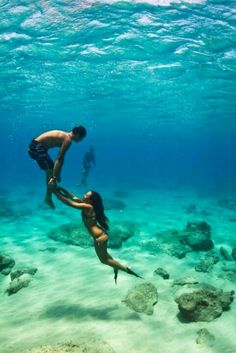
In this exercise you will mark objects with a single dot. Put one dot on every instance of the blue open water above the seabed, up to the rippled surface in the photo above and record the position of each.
(152, 81)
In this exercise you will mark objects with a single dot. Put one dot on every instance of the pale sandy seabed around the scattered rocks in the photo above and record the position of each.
(73, 298)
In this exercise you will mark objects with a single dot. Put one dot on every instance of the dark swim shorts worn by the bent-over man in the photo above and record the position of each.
(40, 154)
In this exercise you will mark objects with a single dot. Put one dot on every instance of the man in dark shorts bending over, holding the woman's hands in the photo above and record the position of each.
(38, 150)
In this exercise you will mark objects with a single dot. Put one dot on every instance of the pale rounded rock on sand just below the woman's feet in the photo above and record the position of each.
(142, 298)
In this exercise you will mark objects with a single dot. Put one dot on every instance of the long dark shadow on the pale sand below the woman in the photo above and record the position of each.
(78, 312)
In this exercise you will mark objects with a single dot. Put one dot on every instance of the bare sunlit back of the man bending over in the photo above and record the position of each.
(54, 138)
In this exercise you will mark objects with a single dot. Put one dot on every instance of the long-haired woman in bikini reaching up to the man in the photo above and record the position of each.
(95, 221)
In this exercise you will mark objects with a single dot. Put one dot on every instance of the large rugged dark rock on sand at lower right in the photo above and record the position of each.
(205, 304)
